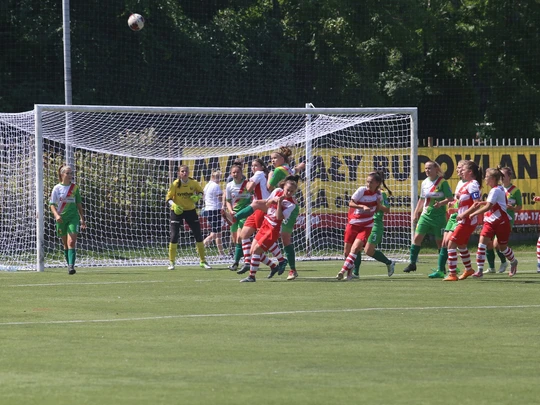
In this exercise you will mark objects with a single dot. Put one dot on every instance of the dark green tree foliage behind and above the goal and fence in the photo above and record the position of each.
(461, 62)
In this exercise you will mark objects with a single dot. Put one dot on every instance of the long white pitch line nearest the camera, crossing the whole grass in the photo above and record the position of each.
(320, 311)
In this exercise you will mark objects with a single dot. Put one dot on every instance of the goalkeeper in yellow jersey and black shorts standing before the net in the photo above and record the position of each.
(182, 196)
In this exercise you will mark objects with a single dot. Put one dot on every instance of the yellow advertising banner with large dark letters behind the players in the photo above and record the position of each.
(338, 172)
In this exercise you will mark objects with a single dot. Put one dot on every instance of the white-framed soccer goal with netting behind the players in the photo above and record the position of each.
(125, 158)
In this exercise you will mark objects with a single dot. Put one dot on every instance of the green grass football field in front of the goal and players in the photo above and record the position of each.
(193, 336)
